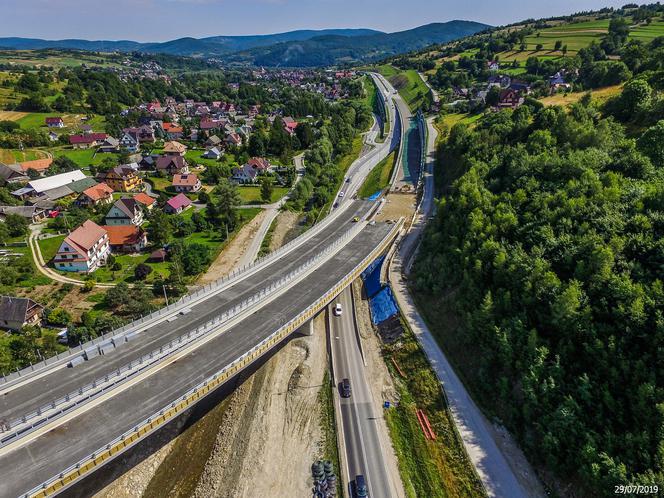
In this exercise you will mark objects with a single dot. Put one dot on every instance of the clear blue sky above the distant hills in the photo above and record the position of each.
(159, 20)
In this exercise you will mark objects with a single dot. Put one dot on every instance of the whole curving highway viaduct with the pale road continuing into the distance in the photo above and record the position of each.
(77, 418)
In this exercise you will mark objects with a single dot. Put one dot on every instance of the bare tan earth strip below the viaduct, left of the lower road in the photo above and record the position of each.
(267, 447)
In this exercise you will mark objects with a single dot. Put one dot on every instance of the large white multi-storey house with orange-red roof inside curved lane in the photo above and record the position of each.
(83, 250)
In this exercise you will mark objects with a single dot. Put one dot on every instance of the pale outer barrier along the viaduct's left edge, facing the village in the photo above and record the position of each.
(209, 289)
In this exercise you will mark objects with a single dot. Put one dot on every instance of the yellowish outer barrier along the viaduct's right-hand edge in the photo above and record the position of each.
(128, 439)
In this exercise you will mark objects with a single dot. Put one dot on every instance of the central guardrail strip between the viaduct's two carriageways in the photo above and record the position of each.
(96, 388)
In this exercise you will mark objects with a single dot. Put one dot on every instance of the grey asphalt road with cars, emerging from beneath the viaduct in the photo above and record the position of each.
(364, 453)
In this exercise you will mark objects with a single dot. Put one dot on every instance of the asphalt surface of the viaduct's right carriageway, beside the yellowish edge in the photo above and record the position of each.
(52, 452)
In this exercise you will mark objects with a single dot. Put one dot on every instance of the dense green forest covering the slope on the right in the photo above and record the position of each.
(542, 274)
